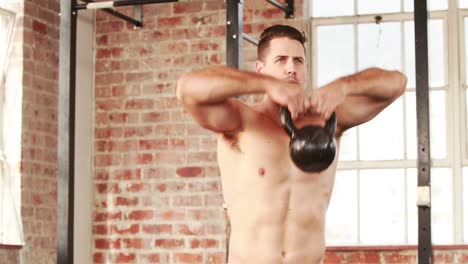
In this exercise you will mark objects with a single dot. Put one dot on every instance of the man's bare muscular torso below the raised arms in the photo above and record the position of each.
(277, 212)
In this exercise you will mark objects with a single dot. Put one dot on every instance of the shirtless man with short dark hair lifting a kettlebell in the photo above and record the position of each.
(277, 211)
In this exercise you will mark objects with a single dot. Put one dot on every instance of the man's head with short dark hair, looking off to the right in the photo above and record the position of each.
(281, 54)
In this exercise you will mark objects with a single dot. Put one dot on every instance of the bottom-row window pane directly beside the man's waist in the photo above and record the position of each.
(342, 216)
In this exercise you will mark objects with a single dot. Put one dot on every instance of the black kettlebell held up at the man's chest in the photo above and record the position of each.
(312, 148)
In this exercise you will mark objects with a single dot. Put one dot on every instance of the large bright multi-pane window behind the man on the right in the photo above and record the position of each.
(374, 199)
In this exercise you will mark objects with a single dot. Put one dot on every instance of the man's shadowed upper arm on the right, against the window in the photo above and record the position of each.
(358, 110)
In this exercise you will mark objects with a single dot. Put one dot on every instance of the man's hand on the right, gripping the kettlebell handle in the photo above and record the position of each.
(325, 99)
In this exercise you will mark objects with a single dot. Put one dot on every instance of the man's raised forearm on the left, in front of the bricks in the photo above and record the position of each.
(216, 84)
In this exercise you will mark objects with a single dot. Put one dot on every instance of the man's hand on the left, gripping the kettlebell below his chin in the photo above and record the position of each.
(291, 95)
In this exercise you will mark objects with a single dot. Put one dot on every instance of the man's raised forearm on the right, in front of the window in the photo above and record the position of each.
(375, 83)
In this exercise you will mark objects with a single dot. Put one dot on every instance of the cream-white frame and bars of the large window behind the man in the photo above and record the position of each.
(456, 133)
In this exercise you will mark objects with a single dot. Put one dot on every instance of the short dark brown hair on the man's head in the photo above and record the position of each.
(278, 31)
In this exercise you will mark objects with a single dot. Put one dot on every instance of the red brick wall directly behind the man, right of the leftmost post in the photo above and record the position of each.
(157, 188)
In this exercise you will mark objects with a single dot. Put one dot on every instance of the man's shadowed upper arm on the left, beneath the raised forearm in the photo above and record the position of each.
(220, 118)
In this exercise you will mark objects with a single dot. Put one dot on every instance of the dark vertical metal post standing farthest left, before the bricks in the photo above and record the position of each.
(66, 133)
